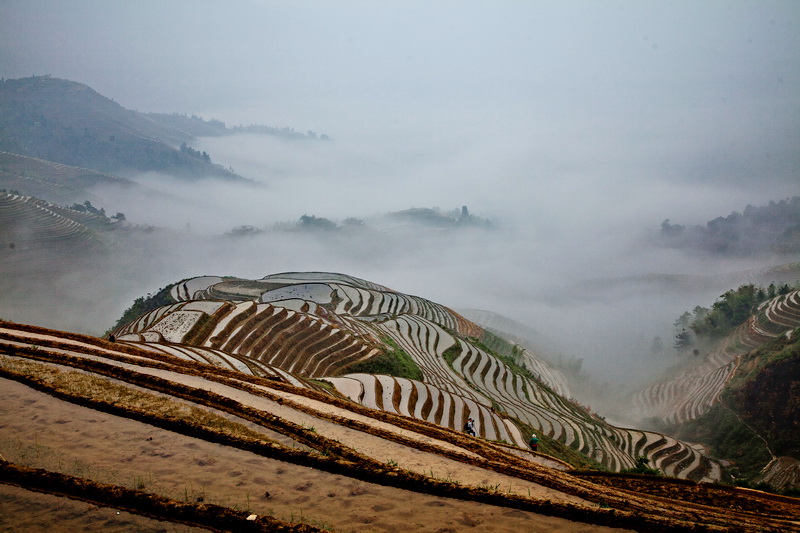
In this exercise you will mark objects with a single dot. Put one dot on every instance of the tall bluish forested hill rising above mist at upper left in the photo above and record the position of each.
(69, 123)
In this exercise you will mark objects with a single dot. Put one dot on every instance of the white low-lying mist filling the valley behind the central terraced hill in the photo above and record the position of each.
(567, 252)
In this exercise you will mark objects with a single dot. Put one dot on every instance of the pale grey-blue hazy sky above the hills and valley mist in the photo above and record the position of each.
(699, 92)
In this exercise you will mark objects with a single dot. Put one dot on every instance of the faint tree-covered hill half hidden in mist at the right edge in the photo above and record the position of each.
(772, 228)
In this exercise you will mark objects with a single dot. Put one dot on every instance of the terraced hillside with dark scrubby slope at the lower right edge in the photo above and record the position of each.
(740, 397)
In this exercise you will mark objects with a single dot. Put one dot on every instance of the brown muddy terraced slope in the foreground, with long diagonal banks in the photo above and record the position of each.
(193, 444)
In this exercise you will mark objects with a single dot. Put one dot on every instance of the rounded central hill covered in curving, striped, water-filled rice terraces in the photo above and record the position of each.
(319, 325)
